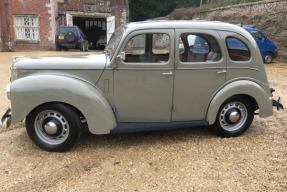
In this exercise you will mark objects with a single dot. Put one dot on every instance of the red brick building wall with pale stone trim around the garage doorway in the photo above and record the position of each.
(48, 20)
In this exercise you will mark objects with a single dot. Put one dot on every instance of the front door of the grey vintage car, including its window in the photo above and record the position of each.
(143, 78)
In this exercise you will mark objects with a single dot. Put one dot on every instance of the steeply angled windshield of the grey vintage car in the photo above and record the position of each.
(114, 42)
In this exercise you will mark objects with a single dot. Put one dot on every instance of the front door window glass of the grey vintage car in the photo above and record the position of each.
(148, 48)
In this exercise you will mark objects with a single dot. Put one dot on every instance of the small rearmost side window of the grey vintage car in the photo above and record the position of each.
(237, 50)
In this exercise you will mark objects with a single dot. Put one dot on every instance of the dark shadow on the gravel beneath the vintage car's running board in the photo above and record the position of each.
(126, 140)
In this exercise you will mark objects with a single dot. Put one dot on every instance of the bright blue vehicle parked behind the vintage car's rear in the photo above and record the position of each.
(268, 50)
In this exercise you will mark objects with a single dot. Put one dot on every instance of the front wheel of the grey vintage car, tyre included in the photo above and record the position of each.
(54, 127)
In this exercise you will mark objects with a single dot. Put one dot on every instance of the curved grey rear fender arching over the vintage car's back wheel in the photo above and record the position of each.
(241, 87)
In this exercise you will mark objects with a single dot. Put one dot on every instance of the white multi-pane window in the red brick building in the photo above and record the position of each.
(27, 28)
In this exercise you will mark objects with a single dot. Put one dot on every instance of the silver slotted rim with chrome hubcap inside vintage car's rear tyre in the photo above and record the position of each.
(233, 116)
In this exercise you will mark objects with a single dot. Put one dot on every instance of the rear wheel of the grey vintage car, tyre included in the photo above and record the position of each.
(234, 117)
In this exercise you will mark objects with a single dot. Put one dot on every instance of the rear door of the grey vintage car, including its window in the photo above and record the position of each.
(199, 73)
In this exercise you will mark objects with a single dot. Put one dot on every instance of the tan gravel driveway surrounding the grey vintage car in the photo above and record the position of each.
(179, 160)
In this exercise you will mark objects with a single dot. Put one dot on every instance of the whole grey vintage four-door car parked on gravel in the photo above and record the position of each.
(145, 80)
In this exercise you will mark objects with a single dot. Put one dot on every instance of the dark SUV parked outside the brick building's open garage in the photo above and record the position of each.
(71, 37)
